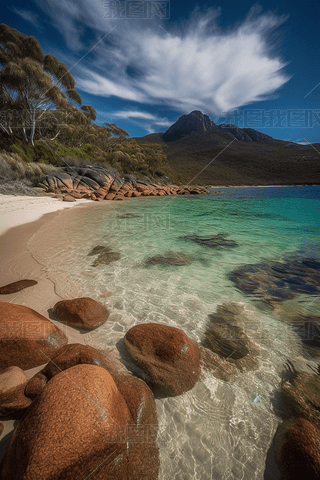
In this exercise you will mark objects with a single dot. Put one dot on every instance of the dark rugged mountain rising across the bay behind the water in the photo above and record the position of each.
(210, 154)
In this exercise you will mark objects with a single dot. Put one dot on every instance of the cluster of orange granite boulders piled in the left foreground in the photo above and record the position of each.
(84, 414)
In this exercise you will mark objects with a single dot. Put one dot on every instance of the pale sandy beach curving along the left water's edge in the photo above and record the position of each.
(20, 218)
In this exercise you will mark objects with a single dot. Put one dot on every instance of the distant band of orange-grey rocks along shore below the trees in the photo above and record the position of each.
(95, 183)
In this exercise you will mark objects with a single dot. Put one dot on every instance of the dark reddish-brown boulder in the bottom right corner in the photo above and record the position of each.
(297, 451)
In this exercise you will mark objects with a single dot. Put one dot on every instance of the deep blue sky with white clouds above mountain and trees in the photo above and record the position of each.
(252, 64)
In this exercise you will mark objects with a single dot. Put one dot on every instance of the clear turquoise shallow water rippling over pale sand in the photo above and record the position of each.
(218, 430)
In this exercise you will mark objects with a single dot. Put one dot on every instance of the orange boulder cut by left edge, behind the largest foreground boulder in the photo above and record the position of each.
(28, 339)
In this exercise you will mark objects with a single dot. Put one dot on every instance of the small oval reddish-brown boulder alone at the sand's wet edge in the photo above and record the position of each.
(81, 312)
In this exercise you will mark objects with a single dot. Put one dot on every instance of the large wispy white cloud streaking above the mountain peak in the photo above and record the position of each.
(183, 67)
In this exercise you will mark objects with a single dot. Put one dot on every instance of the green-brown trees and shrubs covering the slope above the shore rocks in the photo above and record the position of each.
(43, 121)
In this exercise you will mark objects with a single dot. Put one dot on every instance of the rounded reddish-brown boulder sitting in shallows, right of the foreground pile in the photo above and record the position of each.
(166, 354)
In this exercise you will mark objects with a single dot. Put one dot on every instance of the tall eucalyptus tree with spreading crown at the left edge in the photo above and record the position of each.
(31, 83)
